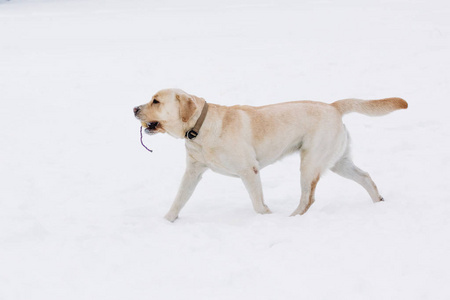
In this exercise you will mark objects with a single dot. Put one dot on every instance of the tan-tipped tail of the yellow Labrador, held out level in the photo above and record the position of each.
(370, 107)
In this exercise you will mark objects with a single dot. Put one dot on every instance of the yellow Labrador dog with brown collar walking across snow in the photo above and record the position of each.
(241, 140)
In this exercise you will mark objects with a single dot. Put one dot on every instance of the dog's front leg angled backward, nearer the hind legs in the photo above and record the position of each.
(252, 182)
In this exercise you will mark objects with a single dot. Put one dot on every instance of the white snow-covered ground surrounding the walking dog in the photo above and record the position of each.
(82, 203)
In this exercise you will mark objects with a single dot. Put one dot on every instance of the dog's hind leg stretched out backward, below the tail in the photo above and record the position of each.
(346, 168)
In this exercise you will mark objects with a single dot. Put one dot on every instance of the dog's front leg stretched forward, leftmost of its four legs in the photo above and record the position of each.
(192, 176)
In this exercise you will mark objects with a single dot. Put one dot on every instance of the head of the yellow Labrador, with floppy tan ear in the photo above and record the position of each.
(170, 110)
